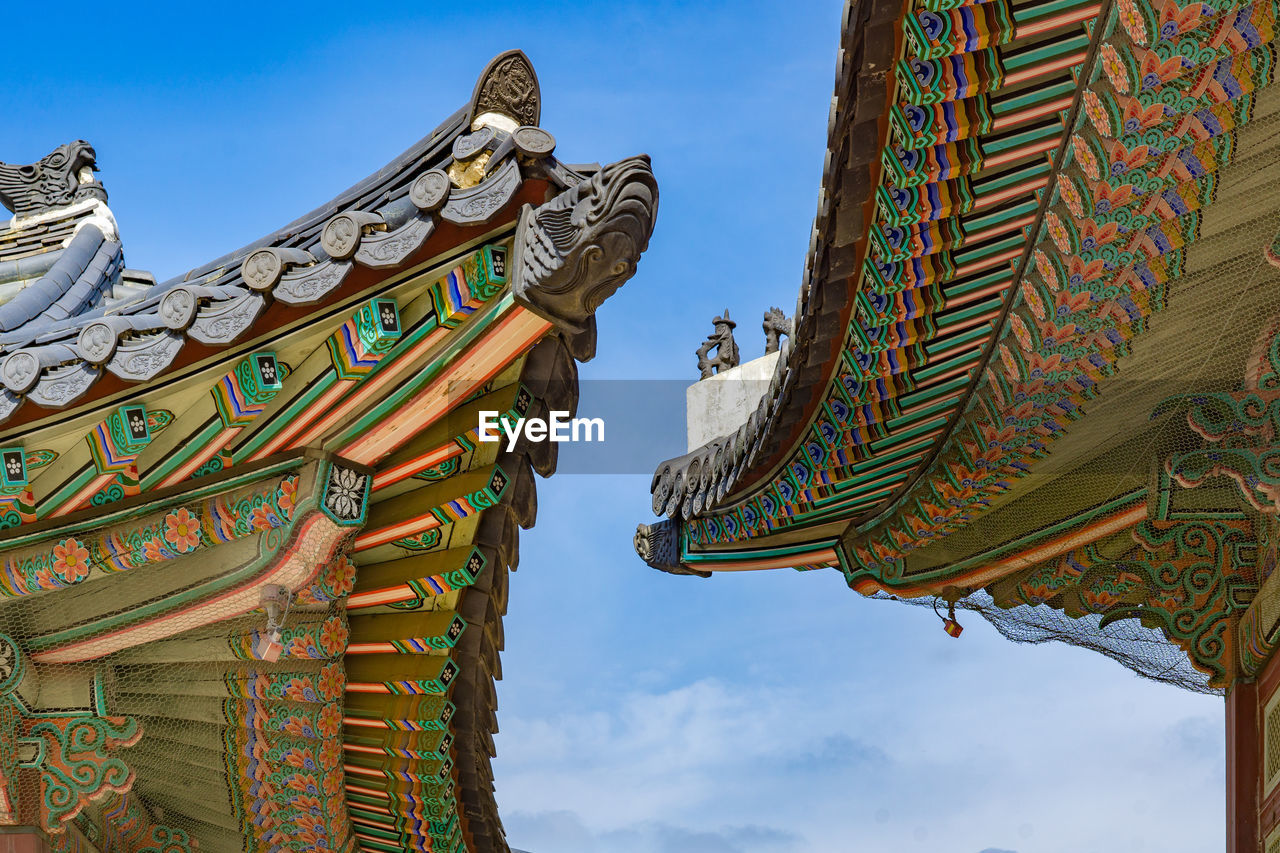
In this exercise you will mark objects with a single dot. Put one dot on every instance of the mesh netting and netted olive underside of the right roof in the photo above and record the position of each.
(1178, 402)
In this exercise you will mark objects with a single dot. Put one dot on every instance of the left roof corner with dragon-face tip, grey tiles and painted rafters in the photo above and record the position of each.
(269, 482)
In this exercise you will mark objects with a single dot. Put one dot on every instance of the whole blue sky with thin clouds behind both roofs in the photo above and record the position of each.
(641, 713)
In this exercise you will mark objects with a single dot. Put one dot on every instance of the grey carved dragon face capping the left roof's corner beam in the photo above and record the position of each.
(578, 249)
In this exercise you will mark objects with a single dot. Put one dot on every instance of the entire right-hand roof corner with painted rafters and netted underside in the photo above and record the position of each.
(1035, 353)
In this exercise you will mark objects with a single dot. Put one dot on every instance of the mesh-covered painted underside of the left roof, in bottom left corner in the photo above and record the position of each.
(190, 738)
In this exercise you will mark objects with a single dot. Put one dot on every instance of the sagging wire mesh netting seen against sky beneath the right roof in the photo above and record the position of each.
(1145, 651)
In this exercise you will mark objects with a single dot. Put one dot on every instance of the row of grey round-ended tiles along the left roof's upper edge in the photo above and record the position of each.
(376, 225)
